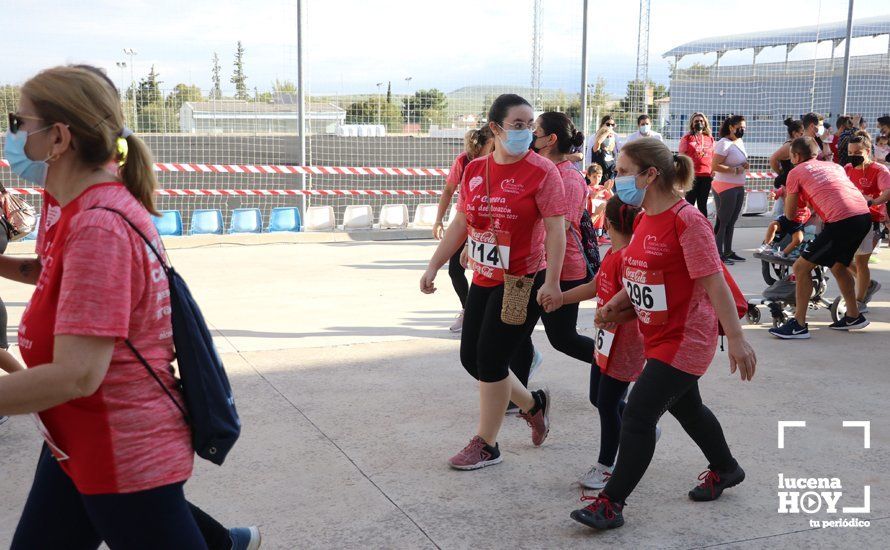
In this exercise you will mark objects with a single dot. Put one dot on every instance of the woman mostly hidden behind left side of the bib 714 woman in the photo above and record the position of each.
(477, 143)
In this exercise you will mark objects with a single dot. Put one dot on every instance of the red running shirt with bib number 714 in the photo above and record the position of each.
(522, 195)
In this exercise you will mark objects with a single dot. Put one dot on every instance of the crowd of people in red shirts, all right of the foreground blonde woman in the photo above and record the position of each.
(663, 291)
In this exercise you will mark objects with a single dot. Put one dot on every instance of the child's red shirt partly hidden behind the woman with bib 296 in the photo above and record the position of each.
(619, 353)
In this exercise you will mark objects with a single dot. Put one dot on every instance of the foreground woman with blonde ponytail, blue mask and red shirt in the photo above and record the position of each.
(96, 402)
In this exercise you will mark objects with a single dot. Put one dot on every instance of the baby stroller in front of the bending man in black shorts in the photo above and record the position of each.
(780, 296)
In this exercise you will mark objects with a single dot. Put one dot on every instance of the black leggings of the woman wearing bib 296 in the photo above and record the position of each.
(662, 388)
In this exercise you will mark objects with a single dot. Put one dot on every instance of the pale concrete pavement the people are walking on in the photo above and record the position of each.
(352, 398)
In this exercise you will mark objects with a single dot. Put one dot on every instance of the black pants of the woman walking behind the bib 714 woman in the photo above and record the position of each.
(561, 327)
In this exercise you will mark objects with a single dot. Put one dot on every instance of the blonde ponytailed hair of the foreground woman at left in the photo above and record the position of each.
(90, 107)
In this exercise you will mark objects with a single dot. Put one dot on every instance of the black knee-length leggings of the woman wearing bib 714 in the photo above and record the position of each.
(487, 344)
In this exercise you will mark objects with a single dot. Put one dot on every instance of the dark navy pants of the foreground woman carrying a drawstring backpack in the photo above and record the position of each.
(57, 515)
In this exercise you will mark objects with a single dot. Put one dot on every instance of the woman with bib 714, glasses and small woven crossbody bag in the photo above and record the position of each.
(510, 210)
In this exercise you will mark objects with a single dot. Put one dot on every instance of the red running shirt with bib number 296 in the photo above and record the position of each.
(667, 252)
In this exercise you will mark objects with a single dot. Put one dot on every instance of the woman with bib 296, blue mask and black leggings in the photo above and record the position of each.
(675, 285)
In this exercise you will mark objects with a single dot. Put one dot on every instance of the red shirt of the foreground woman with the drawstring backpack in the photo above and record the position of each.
(98, 279)
